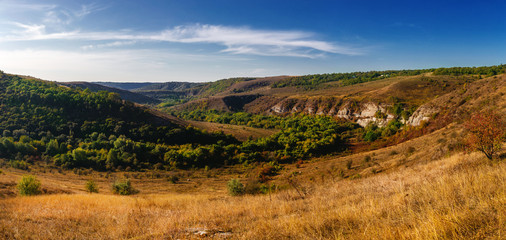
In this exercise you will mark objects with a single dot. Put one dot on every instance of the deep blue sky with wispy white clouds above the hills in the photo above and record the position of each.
(207, 40)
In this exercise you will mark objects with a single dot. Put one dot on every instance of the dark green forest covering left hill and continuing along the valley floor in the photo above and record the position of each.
(75, 128)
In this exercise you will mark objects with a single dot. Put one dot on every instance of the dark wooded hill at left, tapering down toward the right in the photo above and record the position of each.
(79, 128)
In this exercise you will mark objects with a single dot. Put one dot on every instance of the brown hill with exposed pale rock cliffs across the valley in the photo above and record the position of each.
(353, 96)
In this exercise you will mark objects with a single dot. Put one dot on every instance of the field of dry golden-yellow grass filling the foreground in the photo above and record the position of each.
(456, 197)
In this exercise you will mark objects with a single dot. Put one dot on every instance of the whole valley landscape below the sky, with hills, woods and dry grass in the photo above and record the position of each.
(374, 155)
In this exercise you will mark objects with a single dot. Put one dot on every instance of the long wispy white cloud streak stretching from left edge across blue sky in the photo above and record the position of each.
(237, 40)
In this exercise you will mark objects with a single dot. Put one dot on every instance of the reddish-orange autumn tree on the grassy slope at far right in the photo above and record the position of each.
(487, 131)
